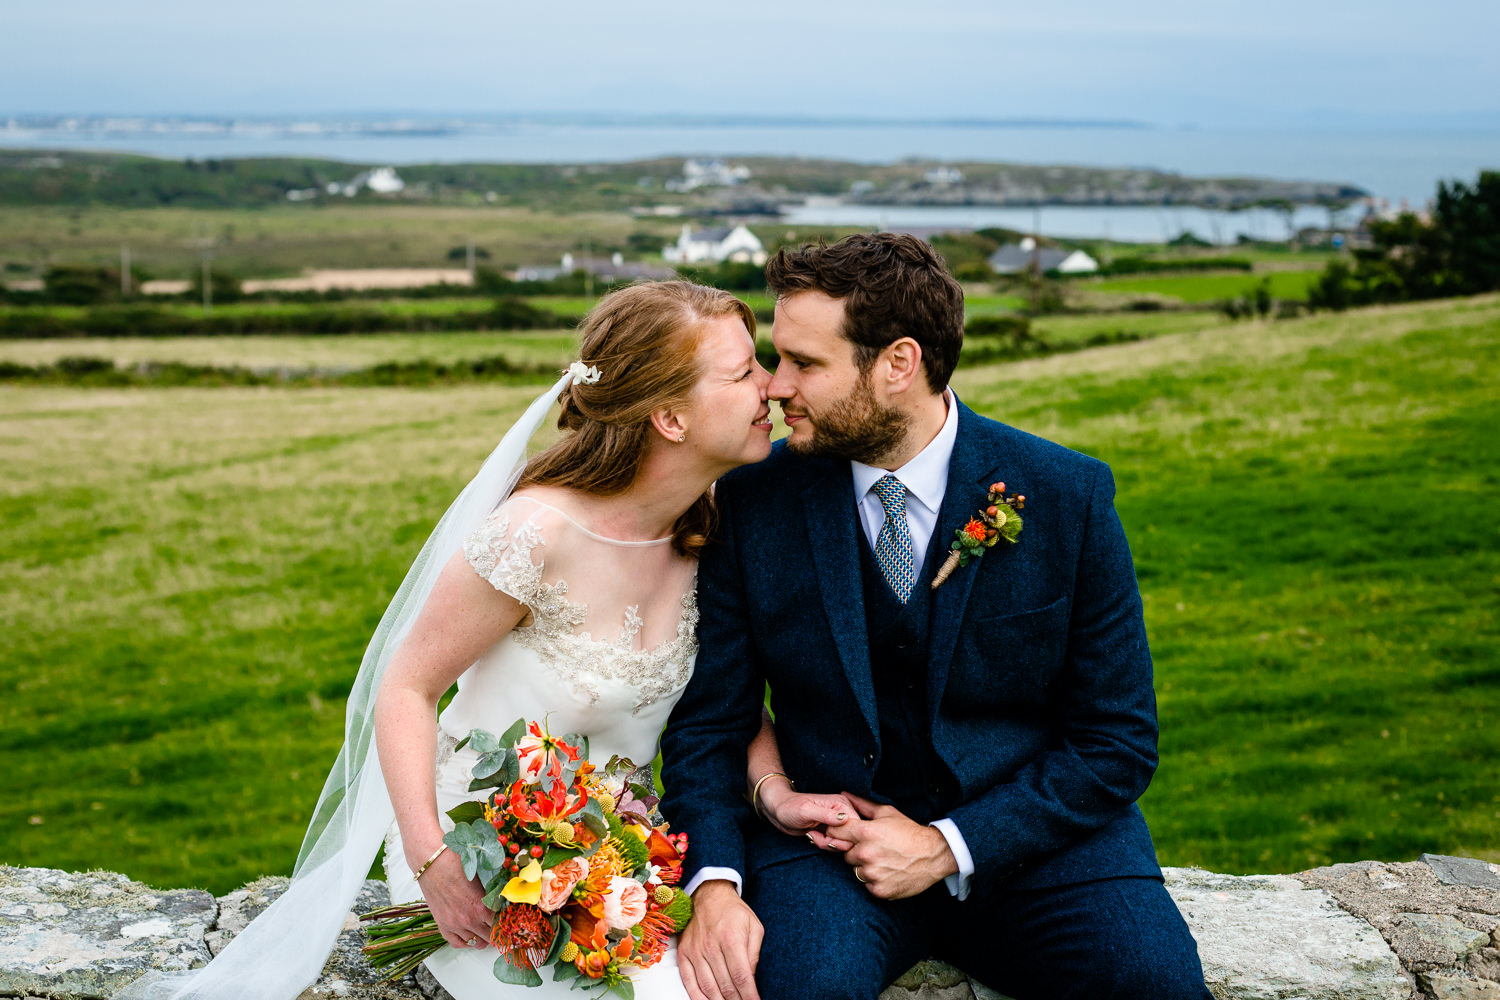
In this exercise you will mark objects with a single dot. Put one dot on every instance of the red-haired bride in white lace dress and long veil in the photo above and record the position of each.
(568, 594)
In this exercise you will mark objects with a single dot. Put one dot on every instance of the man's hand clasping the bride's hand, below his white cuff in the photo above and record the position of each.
(893, 855)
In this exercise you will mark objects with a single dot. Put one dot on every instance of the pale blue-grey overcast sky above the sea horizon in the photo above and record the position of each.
(1165, 62)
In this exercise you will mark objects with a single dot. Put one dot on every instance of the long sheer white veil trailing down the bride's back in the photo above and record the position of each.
(284, 950)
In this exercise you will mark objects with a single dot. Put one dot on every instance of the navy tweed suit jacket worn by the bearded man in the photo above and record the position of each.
(1039, 675)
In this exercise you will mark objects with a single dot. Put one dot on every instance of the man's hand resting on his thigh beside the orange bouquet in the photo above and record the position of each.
(721, 945)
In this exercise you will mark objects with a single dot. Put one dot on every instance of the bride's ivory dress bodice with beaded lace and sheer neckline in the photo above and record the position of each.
(608, 642)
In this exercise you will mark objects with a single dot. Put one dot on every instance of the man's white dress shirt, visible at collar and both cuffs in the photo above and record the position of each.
(926, 481)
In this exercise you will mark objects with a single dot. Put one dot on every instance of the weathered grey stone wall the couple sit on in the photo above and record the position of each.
(1366, 932)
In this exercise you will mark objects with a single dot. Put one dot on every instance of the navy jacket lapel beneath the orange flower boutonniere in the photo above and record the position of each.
(970, 475)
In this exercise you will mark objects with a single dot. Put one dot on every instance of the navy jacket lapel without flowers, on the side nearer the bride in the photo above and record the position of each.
(833, 525)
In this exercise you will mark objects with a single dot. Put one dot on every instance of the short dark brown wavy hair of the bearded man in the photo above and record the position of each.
(893, 286)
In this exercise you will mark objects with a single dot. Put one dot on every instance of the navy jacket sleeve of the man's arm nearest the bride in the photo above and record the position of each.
(712, 726)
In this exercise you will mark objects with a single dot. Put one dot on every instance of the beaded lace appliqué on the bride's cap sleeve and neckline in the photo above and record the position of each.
(505, 558)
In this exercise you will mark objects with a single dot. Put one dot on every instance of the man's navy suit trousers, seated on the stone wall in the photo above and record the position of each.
(829, 939)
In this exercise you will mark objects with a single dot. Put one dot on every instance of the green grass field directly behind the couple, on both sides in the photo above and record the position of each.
(190, 578)
